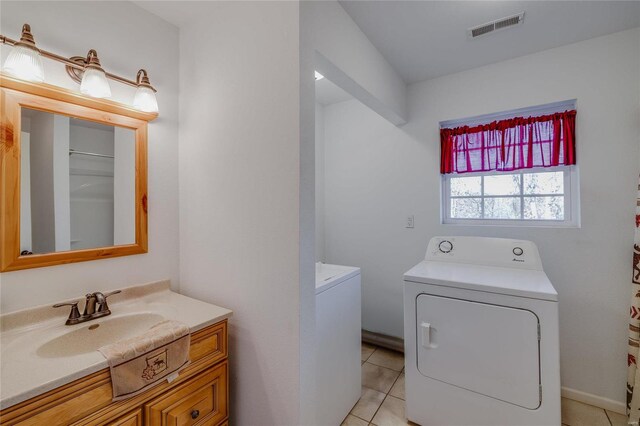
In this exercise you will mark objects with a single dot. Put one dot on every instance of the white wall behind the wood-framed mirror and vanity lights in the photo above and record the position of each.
(112, 28)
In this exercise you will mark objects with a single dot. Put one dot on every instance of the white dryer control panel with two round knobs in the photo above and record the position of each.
(501, 252)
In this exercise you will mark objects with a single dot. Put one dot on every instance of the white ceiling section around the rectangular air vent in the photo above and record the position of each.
(427, 39)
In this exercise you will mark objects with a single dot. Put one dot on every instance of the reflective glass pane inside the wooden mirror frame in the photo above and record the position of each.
(77, 184)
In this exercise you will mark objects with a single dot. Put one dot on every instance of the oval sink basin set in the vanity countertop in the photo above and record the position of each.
(95, 334)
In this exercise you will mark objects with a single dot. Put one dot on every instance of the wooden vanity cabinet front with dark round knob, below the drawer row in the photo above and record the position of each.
(203, 397)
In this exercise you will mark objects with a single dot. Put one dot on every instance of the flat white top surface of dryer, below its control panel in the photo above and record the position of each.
(490, 279)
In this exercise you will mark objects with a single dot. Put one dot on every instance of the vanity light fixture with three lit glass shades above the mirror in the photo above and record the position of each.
(25, 63)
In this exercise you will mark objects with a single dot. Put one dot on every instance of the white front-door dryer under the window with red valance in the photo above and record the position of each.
(481, 335)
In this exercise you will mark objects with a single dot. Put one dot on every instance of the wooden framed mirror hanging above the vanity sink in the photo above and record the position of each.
(73, 177)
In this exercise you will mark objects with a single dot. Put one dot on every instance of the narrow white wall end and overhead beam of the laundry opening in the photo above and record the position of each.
(330, 42)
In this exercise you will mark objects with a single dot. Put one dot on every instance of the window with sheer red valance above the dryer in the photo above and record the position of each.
(514, 171)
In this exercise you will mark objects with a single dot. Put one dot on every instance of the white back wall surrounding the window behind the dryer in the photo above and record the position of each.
(377, 174)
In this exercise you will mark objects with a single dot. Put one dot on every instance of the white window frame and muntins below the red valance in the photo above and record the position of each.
(571, 200)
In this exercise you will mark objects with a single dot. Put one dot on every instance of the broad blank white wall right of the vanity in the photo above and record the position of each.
(239, 194)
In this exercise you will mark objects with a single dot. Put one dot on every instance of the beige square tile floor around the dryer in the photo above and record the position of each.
(382, 400)
